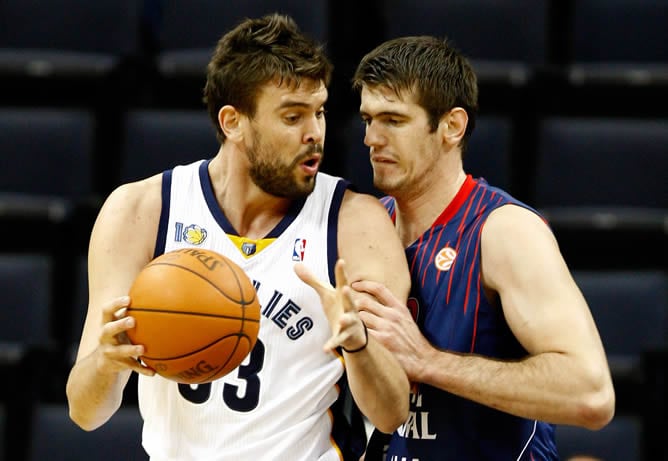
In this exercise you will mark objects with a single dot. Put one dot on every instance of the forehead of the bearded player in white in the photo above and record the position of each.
(279, 94)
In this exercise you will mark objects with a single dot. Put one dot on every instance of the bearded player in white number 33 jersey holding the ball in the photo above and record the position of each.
(262, 202)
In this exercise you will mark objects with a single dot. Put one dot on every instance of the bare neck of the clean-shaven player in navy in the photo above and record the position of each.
(417, 211)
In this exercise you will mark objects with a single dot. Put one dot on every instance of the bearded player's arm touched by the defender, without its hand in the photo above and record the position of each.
(371, 249)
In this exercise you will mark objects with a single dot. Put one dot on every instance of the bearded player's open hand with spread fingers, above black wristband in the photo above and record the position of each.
(348, 331)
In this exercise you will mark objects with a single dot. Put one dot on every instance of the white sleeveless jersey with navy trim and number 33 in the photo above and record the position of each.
(277, 404)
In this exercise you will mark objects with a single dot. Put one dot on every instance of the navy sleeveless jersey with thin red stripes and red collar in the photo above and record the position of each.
(448, 304)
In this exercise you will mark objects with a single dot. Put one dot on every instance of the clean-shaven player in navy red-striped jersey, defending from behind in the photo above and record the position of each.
(503, 346)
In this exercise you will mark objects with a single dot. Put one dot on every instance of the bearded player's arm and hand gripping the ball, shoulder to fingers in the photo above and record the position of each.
(122, 242)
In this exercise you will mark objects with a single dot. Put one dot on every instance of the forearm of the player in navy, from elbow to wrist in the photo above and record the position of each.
(548, 387)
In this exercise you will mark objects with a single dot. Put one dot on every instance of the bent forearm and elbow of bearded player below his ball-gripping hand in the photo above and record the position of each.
(93, 395)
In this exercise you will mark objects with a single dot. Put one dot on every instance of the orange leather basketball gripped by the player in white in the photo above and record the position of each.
(196, 313)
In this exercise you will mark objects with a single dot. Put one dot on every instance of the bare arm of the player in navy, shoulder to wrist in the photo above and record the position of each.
(565, 378)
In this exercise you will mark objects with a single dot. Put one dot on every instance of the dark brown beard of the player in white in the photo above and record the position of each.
(275, 177)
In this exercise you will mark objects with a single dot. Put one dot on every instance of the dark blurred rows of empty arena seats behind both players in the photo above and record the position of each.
(573, 121)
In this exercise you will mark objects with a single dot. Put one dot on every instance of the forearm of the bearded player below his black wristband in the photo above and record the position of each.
(379, 386)
